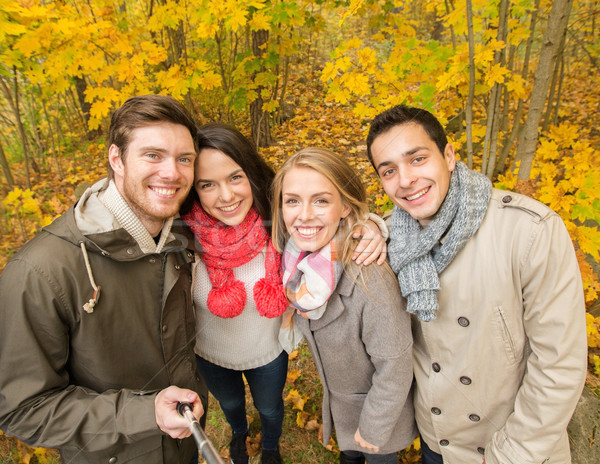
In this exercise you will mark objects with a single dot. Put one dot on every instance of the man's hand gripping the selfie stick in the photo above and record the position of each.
(165, 410)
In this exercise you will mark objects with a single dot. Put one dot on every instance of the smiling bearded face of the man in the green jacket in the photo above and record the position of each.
(157, 173)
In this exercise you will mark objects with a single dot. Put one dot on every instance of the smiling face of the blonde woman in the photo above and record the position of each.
(311, 208)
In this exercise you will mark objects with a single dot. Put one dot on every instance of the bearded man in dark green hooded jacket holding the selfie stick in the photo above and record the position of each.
(96, 320)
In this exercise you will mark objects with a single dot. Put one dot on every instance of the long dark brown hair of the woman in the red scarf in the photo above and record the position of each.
(234, 144)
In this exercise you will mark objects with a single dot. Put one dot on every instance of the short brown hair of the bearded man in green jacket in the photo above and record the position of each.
(142, 111)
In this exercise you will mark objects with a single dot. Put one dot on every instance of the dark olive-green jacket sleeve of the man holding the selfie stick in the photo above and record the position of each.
(39, 404)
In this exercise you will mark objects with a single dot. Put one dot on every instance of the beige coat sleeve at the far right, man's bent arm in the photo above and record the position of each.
(554, 322)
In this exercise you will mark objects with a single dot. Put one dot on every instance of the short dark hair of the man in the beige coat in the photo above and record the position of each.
(401, 114)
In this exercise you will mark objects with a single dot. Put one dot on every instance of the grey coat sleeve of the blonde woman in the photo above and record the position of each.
(387, 337)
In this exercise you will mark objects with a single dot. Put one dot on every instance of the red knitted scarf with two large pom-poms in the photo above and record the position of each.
(227, 247)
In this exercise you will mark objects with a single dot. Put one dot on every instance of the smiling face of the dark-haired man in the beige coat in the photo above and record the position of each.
(413, 171)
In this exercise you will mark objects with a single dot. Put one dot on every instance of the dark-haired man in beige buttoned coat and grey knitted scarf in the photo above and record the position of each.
(492, 281)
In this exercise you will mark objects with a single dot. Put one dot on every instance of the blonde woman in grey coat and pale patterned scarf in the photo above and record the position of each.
(351, 316)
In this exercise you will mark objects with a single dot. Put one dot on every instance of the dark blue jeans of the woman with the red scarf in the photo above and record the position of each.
(266, 385)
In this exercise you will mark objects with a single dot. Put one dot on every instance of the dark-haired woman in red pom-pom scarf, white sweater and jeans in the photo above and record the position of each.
(237, 289)
